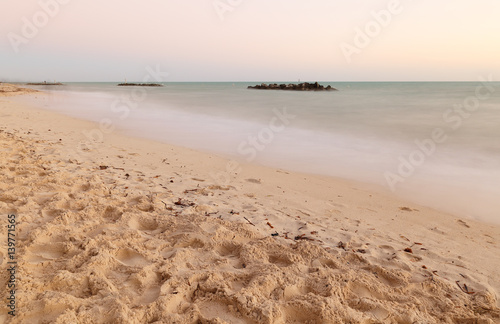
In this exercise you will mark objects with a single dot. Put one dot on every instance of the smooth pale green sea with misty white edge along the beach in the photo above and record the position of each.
(434, 143)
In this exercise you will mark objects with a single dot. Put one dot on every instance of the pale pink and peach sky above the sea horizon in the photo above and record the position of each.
(249, 40)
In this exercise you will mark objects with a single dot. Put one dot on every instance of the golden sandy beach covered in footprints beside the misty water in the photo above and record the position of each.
(126, 230)
